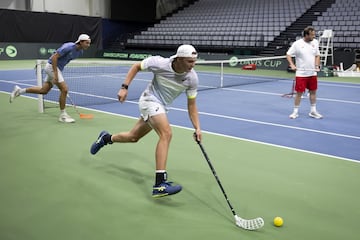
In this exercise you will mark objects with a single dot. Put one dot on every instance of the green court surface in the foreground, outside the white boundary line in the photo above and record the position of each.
(53, 188)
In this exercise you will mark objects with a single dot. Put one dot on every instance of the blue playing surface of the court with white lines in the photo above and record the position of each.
(255, 112)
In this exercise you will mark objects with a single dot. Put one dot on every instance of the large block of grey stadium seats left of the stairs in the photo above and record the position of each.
(226, 23)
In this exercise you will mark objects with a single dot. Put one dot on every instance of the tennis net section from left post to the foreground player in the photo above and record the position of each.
(90, 82)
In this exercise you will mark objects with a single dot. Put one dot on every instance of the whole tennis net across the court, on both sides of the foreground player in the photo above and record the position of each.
(94, 82)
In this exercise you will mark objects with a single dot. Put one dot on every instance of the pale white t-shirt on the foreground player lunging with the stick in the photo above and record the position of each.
(166, 84)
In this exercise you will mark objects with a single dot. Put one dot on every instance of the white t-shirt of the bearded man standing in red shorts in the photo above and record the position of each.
(304, 53)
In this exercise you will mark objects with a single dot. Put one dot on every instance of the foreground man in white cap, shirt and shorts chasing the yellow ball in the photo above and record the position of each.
(171, 77)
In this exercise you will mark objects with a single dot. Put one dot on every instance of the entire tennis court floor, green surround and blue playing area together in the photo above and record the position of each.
(304, 170)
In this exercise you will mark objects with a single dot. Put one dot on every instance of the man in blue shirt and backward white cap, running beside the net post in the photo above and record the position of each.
(54, 67)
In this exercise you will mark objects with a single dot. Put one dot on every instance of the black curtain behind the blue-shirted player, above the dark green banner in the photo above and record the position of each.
(38, 27)
